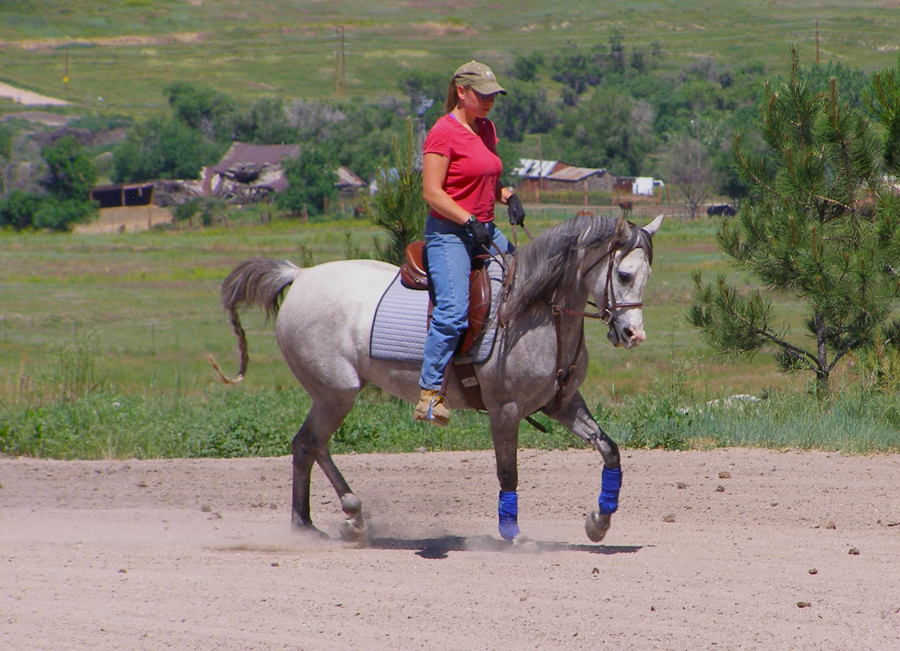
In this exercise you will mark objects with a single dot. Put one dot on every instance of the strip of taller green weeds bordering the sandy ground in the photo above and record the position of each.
(236, 423)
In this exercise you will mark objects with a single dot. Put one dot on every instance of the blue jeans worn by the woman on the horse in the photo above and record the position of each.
(449, 248)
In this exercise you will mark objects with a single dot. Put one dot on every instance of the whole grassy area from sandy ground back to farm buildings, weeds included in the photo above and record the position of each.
(104, 338)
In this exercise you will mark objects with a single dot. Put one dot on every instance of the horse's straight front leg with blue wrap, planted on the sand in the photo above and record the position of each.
(505, 434)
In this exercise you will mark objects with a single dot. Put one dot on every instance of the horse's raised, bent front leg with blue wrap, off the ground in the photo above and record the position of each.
(576, 417)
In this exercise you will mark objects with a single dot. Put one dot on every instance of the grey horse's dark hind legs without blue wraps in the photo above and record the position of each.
(310, 445)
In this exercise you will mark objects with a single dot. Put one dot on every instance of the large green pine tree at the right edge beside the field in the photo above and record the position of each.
(822, 224)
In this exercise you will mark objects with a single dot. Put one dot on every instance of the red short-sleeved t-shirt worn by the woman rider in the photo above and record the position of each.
(474, 165)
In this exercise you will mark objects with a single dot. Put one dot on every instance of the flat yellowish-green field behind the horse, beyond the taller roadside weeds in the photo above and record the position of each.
(151, 300)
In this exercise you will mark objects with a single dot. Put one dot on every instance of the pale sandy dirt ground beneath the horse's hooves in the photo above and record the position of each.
(198, 554)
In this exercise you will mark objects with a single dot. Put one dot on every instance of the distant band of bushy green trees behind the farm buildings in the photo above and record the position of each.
(618, 108)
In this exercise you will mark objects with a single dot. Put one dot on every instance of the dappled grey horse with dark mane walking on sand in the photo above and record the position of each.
(323, 322)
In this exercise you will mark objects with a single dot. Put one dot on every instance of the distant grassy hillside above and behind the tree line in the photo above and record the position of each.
(126, 52)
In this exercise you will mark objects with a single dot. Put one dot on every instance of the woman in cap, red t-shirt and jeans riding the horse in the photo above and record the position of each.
(460, 173)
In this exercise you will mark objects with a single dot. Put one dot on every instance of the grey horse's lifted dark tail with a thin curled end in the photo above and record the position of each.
(260, 282)
